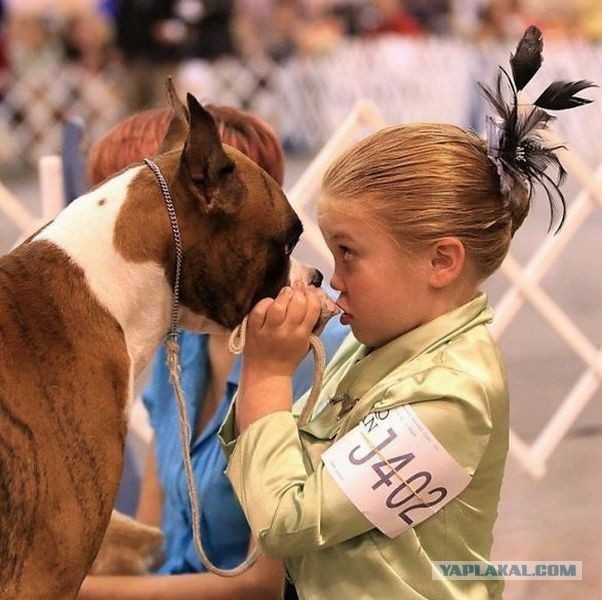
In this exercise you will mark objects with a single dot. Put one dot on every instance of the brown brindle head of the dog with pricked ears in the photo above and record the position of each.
(238, 229)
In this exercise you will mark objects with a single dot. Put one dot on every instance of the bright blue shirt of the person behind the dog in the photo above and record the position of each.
(225, 530)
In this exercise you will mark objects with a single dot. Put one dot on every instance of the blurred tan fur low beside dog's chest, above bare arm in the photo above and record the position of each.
(128, 548)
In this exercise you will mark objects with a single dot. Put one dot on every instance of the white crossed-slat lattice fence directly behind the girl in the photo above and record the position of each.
(525, 280)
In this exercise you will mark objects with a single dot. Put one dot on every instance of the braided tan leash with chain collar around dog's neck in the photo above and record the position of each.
(236, 345)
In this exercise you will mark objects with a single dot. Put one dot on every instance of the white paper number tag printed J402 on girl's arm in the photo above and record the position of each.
(394, 470)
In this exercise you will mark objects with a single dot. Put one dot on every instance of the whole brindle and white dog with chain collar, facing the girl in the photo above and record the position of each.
(83, 306)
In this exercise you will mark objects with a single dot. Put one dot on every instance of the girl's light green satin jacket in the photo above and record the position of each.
(451, 372)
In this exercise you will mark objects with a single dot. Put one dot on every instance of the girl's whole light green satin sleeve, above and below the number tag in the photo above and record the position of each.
(292, 510)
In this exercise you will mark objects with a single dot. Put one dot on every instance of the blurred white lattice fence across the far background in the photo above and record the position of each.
(306, 98)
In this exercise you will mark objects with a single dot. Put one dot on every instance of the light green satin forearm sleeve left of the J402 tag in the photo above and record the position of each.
(290, 511)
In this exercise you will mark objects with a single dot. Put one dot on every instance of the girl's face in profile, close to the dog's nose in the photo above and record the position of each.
(384, 292)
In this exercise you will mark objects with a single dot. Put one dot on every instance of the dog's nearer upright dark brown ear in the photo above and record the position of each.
(206, 162)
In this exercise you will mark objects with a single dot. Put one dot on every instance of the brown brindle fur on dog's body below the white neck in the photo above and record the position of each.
(62, 403)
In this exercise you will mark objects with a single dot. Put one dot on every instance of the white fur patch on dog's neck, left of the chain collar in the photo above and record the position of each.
(136, 294)
